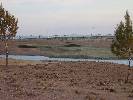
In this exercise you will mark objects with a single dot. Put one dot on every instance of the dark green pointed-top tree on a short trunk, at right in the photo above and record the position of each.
(122, 45)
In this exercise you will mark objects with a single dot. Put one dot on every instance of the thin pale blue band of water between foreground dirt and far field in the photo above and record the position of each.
(43, 58)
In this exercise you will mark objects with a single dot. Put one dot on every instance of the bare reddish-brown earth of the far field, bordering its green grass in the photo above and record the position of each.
(14, 49)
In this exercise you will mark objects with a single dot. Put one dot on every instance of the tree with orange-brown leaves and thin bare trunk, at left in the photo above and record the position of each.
(8, 28)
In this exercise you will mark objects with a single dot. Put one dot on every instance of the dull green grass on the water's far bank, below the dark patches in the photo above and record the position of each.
(76, 50)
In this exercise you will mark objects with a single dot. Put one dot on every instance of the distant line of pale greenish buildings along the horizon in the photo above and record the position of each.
(68, 37)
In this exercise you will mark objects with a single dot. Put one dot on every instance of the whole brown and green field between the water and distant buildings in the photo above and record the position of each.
(58, 48)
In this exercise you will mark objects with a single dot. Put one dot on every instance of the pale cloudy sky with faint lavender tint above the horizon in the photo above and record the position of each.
(66, 17)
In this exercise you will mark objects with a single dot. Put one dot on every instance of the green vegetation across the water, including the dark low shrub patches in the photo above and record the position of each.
(70, 50)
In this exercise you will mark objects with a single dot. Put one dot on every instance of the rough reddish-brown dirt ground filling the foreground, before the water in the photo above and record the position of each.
(65, 81)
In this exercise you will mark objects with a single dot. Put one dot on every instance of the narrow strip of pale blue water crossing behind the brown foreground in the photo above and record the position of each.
(43, 58)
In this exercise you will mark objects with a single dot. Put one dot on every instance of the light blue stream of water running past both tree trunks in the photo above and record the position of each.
(47, 59)
